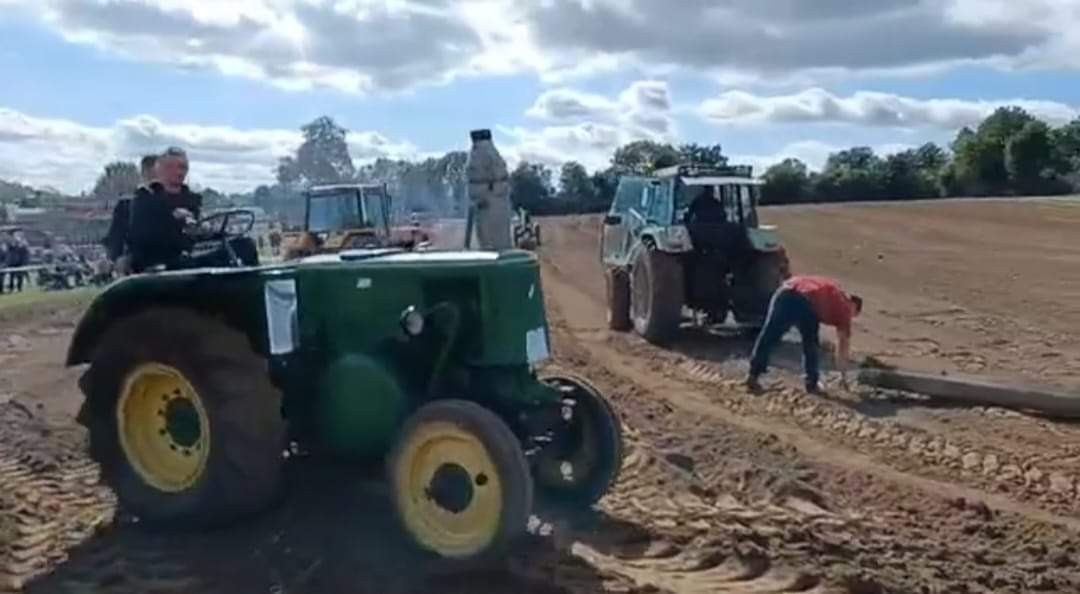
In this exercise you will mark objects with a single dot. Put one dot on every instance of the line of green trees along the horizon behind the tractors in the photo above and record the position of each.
(1011, 153)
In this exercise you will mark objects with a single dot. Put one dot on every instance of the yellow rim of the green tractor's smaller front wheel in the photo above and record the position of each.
(449, 491)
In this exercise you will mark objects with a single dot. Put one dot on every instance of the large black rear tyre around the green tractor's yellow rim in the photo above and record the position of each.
(242, 471)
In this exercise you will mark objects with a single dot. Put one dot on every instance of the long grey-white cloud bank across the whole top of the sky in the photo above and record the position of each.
(361, 46)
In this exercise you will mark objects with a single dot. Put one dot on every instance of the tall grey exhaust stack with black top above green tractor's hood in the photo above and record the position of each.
(489, 193)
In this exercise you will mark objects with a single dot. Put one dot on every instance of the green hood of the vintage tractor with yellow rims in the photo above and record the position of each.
(353, 299)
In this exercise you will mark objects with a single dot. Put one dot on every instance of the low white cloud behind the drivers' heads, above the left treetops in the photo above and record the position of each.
(70, 156)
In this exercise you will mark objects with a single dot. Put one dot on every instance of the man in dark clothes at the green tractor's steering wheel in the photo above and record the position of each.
(164, 211)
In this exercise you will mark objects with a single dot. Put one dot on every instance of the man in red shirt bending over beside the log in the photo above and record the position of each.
(806, 303)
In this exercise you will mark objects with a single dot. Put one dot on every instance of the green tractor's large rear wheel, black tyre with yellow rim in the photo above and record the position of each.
(184, 421)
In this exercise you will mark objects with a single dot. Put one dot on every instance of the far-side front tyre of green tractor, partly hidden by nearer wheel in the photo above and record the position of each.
(592, 448)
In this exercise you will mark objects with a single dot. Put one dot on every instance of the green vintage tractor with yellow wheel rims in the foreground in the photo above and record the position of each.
(201, 381)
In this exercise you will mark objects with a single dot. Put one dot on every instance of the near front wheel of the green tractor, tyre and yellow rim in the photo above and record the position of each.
(502, 452)
